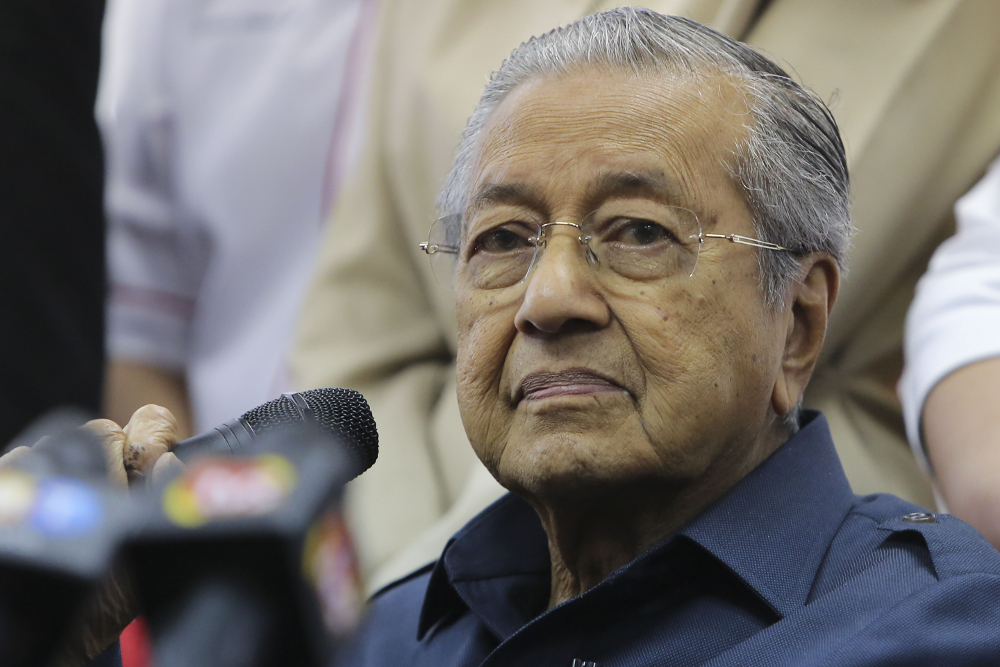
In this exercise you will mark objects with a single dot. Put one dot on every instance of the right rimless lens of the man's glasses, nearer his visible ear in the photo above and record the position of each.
(645, 241)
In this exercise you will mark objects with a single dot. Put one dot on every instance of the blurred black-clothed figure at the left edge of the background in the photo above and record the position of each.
(51, 181)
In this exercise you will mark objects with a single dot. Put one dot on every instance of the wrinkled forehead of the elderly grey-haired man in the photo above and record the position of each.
(555, 137)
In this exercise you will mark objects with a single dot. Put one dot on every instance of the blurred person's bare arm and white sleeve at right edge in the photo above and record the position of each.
(951, 383)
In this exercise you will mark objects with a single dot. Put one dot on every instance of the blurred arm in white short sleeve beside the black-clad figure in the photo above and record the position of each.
(154, 268)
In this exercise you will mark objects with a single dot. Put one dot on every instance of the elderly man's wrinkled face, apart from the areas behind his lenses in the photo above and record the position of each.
(570, 383)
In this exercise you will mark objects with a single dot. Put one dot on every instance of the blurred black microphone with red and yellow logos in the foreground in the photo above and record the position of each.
(244, 559)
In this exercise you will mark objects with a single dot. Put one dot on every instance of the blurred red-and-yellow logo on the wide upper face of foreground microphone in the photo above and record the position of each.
(228, 488)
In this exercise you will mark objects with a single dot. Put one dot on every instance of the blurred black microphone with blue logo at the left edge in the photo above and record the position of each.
(60, 523)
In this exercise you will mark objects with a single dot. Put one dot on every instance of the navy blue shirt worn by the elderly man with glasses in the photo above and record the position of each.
(788, 568)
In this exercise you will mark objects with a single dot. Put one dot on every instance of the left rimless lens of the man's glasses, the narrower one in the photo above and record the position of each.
(500, 253)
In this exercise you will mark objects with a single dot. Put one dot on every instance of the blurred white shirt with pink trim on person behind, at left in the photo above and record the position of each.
(217, 117)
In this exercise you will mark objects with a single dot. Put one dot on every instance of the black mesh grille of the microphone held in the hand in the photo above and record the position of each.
(342, 413)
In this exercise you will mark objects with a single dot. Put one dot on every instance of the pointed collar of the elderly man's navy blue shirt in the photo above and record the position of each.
(771, 529)
